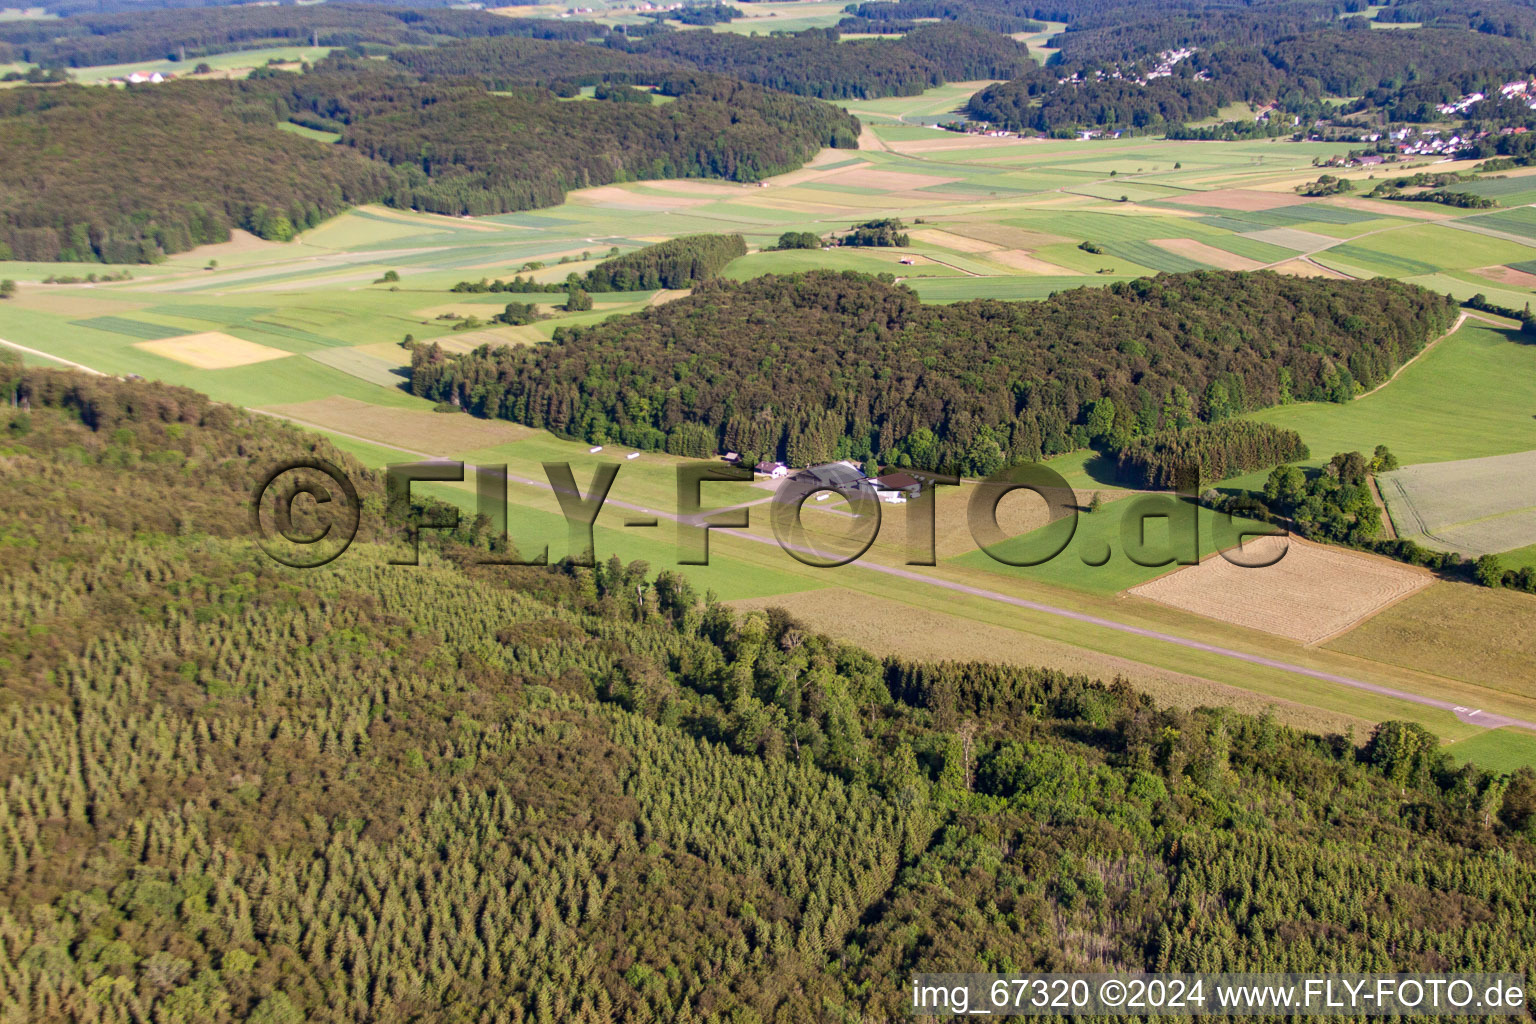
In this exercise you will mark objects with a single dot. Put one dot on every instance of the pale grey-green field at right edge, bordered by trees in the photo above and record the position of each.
(1471, 506)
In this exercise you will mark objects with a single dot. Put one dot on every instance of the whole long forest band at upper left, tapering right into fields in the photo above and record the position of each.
(440, 147)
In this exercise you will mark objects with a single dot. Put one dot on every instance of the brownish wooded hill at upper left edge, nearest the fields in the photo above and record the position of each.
(88, 210)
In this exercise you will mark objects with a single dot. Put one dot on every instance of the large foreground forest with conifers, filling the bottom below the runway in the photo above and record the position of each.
(455, 793)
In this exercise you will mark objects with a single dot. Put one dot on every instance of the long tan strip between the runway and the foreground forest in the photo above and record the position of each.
(893, 627)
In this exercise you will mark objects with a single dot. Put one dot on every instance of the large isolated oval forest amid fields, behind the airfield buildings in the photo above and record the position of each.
(827, 366)
